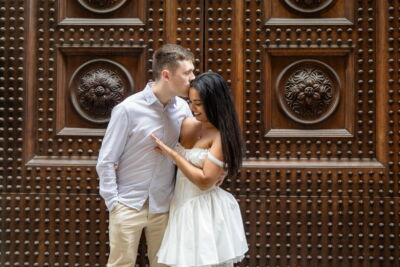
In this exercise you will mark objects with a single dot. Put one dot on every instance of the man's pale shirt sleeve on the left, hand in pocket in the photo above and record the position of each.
(111, 149)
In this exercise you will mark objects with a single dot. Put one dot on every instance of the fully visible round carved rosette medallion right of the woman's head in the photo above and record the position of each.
(308, 91)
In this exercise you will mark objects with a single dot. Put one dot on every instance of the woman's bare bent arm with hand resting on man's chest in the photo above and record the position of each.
(202, 178)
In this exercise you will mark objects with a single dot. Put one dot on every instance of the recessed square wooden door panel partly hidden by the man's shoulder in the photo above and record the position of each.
(91, 82)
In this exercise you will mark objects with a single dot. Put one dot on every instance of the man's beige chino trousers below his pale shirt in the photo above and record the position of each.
(125, 228)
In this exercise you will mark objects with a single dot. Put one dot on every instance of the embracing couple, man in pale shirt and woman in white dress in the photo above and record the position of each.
(188, 220)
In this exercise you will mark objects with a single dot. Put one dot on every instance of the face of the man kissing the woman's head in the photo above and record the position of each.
(180, 79)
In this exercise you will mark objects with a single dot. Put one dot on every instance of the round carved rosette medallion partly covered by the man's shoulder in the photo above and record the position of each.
(97, 86)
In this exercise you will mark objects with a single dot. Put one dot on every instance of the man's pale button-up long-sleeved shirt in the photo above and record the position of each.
(130, 169)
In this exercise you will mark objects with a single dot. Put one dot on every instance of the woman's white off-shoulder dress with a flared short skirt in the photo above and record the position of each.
(205, 228)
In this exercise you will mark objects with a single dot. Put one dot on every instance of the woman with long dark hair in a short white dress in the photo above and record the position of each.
(205, 226)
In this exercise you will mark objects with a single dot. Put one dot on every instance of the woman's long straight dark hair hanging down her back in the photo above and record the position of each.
(220, 111)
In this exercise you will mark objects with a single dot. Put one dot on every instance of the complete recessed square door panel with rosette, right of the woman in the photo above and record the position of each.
(309, 94)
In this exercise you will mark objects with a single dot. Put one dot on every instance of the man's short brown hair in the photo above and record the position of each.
(167, 57)
